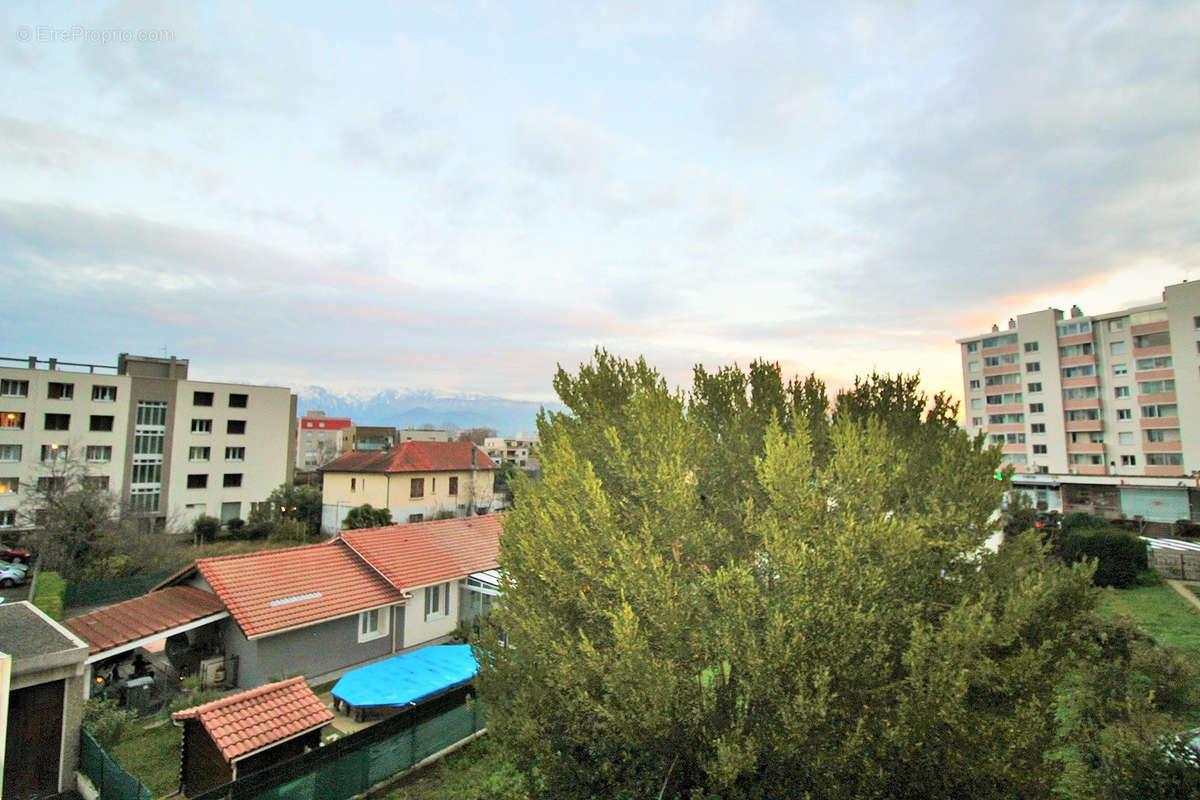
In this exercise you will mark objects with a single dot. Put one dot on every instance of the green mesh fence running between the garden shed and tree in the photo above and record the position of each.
(358, 762)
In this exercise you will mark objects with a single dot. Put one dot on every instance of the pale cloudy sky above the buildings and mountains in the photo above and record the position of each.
(463, 196)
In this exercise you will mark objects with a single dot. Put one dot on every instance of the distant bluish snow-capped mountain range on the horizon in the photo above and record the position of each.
(418, 408)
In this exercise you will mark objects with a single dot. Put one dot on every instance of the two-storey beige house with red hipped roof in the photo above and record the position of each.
(416, 482)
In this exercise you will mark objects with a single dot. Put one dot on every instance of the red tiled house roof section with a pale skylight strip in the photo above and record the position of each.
(274, 591)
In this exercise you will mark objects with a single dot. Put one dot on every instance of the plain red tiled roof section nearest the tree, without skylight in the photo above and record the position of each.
(424, 554)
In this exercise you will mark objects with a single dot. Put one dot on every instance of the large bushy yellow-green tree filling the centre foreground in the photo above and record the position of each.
(734, 592)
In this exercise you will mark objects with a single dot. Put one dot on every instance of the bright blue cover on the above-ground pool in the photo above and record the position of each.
(407, 679)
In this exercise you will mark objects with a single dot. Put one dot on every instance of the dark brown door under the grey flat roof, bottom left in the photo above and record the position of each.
(34, 743)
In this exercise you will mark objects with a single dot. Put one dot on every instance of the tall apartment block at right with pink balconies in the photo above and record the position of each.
(1108, 402)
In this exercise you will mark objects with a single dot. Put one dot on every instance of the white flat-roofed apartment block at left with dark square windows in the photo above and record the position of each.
(173, 449)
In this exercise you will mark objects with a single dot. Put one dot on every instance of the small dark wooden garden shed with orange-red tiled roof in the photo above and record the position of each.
(243, 733)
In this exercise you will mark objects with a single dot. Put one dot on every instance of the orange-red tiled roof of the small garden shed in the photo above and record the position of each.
(247, 723)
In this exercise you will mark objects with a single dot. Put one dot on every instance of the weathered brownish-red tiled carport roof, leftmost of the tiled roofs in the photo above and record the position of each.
(142, 617)
